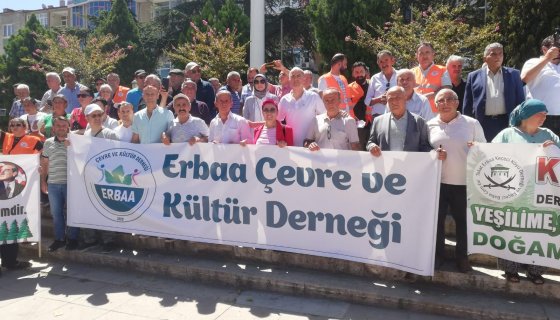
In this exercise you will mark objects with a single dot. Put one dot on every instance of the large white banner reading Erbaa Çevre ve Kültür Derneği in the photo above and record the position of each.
(342, 204)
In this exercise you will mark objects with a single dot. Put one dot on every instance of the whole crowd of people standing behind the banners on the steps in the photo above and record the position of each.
(428, 107)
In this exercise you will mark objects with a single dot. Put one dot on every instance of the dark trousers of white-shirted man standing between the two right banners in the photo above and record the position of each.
(452, 198)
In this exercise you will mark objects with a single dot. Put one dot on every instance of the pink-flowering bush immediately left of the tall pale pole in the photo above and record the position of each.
(217, 52)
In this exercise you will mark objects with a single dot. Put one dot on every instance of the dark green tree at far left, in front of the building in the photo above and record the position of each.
(19, 47)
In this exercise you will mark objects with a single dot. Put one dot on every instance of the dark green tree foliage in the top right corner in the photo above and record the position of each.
(523, 24)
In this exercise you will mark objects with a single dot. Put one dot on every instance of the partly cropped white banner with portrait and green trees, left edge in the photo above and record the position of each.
(19, 199)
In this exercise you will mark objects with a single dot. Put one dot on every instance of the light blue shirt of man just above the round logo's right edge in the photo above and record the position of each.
(149, 129)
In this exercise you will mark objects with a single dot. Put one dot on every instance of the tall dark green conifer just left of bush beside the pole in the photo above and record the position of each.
(120, 22)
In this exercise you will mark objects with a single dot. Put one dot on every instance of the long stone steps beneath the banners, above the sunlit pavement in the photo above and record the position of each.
(436, 296)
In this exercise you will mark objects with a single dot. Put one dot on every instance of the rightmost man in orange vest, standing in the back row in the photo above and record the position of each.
(430, 77)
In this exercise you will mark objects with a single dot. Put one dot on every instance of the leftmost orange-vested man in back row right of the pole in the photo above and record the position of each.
(336, 79)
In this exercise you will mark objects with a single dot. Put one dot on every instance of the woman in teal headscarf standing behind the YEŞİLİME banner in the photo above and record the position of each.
(525, 127)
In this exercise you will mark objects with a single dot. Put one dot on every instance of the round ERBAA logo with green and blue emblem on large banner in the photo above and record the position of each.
(120, 184)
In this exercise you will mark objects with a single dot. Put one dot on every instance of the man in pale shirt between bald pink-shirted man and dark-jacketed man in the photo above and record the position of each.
(333, 129)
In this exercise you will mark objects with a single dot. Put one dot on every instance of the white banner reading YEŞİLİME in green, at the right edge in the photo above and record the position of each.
(513, 200)
